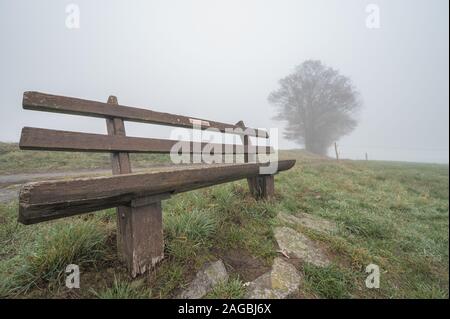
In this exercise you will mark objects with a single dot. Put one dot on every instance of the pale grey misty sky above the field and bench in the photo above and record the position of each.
(219, 60)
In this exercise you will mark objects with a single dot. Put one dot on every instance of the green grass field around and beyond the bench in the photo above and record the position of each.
(392, 214)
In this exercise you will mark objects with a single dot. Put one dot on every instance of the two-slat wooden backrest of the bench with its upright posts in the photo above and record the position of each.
(116, 141)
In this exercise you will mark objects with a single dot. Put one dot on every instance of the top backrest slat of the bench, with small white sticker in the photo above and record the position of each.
(61, 104)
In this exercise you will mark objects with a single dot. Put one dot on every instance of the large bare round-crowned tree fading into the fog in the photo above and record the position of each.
(318, 104)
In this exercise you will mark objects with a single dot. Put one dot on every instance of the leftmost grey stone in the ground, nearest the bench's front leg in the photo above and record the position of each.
(206, 279)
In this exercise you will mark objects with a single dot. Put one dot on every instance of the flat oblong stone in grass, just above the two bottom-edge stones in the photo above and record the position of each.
(297, 244)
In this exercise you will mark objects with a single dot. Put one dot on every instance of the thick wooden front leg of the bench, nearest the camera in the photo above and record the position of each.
(140, 236)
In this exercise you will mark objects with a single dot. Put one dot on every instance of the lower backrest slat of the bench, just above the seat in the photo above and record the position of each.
(54, 140)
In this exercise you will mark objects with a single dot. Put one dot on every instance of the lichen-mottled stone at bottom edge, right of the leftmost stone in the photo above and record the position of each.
(280, 282)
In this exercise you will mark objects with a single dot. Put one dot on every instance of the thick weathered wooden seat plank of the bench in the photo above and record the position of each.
(42, 201)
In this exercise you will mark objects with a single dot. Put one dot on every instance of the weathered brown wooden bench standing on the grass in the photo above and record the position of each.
(137, 196)
